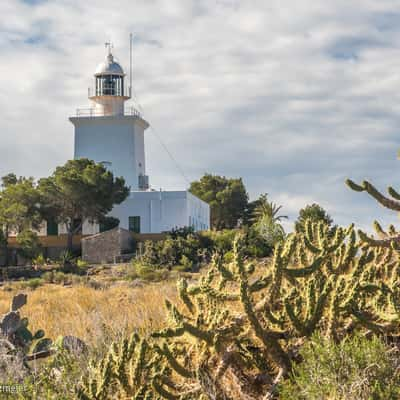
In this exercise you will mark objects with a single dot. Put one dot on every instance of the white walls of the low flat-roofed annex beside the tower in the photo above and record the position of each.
(161, 211)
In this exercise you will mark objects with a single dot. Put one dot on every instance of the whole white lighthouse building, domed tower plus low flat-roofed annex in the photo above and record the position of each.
(113, 134)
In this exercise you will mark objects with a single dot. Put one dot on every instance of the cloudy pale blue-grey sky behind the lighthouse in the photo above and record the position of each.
(292, 96)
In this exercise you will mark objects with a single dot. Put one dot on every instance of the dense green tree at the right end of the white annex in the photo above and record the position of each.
(227, 198)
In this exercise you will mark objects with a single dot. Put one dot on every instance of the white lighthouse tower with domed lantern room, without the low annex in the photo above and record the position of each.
(107, 132)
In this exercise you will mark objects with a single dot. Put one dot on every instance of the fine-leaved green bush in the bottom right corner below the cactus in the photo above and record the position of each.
(356, 368)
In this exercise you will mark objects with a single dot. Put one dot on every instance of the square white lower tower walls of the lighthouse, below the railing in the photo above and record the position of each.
(118, 140)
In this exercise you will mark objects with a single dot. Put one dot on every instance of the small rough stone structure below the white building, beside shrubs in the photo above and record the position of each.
(106, 247)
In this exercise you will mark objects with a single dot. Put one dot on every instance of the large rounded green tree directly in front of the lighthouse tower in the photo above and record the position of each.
(78, 191)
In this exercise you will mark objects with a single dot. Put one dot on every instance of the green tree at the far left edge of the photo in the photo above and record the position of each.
(19, 207)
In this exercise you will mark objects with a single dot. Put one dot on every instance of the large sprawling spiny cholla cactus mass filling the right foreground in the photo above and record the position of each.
(239, 328)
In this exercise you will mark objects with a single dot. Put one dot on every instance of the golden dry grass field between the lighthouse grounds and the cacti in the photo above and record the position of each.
(96, 316)
